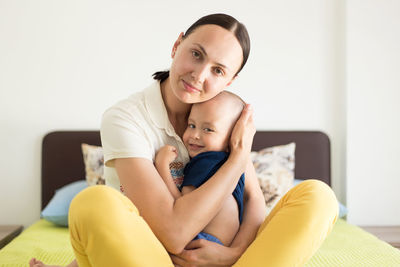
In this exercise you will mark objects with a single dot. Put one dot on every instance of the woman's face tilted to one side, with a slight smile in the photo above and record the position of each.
(204, 63)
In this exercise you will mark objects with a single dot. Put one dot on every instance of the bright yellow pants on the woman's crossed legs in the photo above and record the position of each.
(107, 230)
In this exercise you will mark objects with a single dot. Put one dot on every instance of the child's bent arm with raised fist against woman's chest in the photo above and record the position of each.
(166, 155)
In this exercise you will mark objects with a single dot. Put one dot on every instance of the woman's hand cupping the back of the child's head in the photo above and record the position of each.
(243, 132)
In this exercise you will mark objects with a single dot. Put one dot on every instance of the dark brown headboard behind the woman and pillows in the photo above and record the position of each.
(62, 160)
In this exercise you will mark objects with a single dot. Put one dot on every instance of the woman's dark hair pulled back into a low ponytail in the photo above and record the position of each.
(226, 22)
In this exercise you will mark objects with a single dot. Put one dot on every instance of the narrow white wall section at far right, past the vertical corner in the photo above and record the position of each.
(373, 114)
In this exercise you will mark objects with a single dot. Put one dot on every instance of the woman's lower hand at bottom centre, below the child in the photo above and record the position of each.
(201, 252)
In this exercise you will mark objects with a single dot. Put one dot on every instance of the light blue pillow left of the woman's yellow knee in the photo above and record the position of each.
(57, 209)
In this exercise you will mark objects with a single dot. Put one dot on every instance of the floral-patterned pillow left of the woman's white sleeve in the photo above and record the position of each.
(94, 164)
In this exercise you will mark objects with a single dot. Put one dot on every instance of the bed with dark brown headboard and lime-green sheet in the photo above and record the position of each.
(62, 163)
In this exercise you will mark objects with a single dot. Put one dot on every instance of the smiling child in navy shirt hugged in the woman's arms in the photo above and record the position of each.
(207, 140)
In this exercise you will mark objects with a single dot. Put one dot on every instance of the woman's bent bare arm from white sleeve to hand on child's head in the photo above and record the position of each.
(176, 222)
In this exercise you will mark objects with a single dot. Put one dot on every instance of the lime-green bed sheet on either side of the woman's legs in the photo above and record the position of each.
(347, 245)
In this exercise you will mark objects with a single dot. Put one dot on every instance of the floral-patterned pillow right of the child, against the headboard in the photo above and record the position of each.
(275, 171)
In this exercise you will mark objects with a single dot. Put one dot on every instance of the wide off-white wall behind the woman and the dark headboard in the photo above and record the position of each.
(62, 63)
